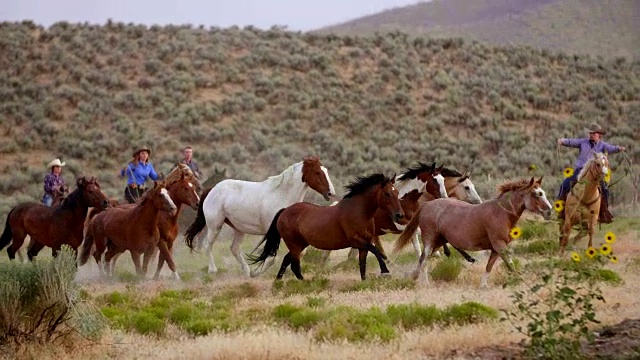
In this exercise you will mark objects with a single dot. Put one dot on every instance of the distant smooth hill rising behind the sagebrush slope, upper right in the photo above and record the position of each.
(607, 28)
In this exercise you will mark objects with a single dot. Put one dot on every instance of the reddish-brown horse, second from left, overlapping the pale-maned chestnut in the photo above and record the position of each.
(134, 229)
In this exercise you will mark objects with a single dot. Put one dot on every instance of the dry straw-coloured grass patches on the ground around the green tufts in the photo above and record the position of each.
(278, 342)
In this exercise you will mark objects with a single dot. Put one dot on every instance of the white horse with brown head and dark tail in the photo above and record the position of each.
(248, 207)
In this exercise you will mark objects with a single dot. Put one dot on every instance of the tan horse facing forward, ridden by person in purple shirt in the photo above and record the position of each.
(583, 203)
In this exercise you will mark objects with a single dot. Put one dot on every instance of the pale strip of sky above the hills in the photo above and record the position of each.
(303, 15)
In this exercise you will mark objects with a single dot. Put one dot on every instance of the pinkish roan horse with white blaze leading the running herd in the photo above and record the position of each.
(475, 227)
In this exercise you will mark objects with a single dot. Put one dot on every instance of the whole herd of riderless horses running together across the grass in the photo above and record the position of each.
(441, 204)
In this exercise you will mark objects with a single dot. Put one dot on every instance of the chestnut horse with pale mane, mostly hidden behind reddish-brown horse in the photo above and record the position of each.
(181, 191)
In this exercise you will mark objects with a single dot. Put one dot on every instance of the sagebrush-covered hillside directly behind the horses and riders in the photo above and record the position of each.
(255, 101)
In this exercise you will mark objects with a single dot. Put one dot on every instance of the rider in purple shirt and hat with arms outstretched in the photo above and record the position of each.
(588, 146)
